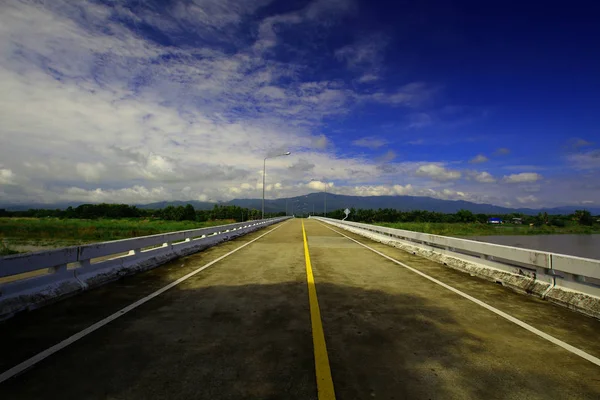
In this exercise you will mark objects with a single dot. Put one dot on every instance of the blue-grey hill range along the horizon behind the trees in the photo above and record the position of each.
(336, 201)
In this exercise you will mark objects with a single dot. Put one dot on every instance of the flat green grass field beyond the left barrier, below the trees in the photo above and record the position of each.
(30, 234)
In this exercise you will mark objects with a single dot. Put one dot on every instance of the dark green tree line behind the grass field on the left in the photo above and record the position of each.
(169, 213)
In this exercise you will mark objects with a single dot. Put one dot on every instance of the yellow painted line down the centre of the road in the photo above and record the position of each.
(324, 382)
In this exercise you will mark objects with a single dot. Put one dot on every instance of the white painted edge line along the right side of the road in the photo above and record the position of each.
(512, 319)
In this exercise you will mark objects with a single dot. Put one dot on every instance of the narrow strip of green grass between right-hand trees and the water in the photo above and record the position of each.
(478, 229)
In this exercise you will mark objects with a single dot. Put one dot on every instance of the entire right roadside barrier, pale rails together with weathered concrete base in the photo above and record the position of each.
(570, 281)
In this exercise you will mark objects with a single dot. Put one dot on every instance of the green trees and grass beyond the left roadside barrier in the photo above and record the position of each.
(22, 231)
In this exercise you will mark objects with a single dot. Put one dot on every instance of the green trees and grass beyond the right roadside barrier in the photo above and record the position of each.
(466, 223)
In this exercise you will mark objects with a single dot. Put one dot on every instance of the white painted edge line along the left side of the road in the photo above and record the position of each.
(17, 369)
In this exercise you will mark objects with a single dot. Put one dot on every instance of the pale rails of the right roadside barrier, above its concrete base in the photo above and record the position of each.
(558, 270)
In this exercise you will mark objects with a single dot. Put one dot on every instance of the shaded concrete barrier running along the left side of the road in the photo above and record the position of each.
(30, 280)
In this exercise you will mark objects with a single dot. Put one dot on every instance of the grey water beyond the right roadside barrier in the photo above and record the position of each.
(587, 246)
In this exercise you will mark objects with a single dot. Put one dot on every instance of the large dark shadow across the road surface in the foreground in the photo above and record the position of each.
(254, 342)
